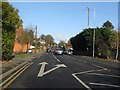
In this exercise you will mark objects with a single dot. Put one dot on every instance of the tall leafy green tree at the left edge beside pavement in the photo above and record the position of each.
(10, 21)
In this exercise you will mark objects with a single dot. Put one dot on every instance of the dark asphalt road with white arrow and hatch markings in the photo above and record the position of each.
(65, 71)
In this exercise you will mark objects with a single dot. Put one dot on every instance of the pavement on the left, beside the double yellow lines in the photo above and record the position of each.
(7, 67)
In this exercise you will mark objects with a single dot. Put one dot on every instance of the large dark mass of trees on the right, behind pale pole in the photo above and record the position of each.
(105, 40)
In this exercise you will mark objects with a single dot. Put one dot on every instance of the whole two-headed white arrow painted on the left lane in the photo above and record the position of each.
(41, 73)
